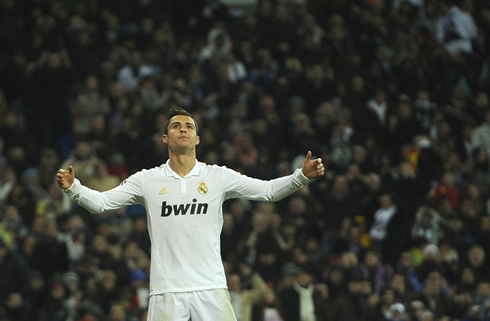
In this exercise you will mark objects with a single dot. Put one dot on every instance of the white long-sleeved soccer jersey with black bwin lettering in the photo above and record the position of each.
(185, 217)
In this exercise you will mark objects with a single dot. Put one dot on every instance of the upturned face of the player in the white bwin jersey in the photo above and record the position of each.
(181, 133)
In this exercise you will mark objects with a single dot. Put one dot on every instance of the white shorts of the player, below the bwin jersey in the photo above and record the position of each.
(209, 305)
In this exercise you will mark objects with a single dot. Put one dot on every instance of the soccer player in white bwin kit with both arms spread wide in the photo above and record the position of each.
(183, 199)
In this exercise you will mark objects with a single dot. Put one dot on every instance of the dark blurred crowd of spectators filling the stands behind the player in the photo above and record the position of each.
(393, 95)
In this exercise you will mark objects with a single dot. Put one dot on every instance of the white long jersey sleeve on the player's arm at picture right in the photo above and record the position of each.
(242, 186)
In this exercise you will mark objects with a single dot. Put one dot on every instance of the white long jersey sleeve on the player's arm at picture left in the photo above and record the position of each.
(127, 193)
